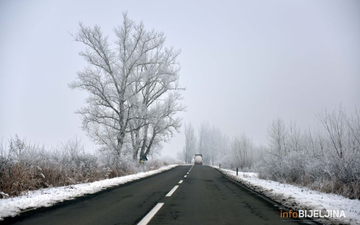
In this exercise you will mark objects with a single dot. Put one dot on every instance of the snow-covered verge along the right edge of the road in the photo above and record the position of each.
(301, 198)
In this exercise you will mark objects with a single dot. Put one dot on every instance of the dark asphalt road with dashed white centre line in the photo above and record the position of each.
(204, 196)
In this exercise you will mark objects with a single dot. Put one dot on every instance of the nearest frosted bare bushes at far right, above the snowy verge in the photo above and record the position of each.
(328, 161)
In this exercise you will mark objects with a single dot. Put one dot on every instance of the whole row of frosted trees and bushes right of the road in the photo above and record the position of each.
(325, 159)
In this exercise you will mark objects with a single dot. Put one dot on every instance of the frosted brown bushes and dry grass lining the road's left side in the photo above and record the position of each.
(25, 166)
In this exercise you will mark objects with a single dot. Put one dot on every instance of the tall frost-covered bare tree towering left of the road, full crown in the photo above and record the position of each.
(125, 80)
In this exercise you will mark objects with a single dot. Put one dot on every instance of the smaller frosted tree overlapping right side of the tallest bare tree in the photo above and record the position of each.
(157, 101)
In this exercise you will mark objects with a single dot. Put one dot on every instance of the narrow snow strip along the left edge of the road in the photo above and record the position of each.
(49, 196)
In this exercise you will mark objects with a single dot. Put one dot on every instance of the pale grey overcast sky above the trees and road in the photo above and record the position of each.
(244, 63)
